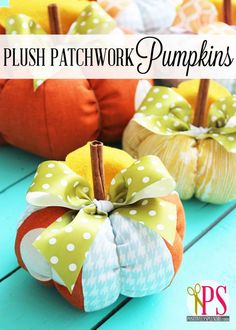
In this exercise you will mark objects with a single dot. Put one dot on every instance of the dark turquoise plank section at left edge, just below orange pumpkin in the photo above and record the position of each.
(15, 165)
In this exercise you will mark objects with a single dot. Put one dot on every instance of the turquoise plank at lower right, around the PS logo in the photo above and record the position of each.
(211, 258)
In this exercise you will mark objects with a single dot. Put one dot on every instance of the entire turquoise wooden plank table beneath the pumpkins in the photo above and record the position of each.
(210, 254)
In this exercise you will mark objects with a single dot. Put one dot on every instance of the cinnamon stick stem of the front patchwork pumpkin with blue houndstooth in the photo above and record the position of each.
(96, 152)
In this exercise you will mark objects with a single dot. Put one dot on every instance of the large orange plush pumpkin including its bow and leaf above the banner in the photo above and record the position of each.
(61, 115)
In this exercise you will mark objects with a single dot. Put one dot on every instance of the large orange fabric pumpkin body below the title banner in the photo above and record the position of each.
(64, 114)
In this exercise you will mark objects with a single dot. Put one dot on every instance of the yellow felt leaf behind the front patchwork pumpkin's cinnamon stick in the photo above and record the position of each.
(114, 161)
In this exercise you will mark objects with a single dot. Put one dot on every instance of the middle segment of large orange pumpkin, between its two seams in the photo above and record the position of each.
(72, 117)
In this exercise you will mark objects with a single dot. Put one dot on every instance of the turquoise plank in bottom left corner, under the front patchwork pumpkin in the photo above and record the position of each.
(25, 304)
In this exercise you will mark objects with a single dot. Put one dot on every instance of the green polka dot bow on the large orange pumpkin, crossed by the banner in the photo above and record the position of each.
(92, 20)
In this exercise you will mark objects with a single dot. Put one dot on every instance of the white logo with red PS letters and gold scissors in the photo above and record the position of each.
(208, 301)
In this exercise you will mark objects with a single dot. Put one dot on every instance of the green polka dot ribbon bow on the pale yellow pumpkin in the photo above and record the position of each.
(165, 112)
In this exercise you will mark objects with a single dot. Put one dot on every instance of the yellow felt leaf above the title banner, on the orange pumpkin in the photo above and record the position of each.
(69, 10)
